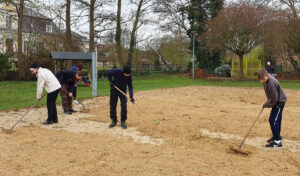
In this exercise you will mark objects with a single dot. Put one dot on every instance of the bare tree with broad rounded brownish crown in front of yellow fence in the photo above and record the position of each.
(237, 29)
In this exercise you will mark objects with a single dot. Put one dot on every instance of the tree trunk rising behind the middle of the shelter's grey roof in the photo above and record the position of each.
(68, 39)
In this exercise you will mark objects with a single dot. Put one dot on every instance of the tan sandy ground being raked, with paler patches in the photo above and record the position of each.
(198, 125)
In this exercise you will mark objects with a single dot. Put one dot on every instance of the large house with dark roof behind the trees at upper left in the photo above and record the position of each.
(40, 33)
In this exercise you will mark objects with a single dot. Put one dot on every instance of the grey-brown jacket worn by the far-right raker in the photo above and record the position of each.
(274, 93)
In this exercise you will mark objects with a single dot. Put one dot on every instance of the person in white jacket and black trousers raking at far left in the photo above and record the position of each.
(46, 79)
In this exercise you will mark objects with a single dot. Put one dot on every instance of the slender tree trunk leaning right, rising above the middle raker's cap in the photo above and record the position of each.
(133, 37)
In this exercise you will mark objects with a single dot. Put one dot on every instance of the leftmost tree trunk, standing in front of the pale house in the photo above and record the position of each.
(22, 64)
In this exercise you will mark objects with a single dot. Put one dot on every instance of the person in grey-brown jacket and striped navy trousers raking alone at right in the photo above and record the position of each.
(276, 100)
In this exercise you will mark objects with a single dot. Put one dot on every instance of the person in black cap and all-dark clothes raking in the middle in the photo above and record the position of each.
(119, 78)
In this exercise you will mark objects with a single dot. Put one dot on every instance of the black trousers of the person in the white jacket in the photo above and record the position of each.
(51, 106)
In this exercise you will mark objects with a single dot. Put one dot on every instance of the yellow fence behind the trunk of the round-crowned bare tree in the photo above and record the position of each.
(251, 67)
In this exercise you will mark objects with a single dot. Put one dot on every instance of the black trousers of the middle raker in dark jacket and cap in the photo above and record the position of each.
(113, 106)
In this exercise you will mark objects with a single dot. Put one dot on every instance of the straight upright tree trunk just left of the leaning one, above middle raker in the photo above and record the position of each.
(118, 35)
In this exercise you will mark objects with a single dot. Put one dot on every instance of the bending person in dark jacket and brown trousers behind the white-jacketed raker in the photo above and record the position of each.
(67, 80)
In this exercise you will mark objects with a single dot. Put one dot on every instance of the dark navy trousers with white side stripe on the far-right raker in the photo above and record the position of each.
(275, 121)
